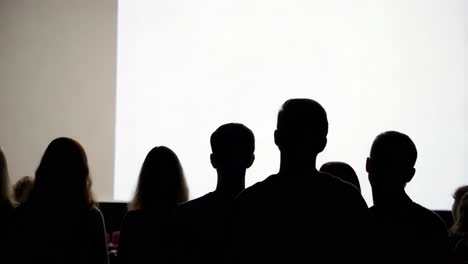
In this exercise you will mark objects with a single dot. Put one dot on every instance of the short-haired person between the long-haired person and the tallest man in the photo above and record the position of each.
(205, 220)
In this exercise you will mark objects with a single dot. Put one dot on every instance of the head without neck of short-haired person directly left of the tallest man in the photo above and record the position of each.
(233, 147)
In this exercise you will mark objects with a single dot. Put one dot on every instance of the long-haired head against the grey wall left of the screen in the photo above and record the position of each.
(63, 176)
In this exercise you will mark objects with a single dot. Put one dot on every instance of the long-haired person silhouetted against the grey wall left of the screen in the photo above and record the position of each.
(60, 222)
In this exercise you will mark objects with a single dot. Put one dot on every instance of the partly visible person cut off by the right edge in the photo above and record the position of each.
(459, 230)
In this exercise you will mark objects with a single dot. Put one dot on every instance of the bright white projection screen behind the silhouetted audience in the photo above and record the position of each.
(186, 67)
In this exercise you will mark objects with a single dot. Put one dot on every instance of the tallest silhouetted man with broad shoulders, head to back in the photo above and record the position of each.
(300, 215)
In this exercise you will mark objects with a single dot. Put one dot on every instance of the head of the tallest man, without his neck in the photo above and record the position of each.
(302, 127)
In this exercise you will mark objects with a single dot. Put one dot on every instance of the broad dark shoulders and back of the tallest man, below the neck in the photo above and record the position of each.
(273, 217)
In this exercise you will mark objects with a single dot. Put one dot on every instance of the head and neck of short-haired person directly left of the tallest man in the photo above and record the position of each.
(233, 147)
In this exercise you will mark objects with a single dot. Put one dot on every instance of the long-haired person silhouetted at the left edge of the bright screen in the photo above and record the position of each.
(146, 234)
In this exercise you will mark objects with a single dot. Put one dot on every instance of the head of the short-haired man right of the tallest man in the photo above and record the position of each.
(392, 159)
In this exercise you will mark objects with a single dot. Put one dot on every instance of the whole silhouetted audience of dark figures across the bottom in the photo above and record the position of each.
(298, 215)
